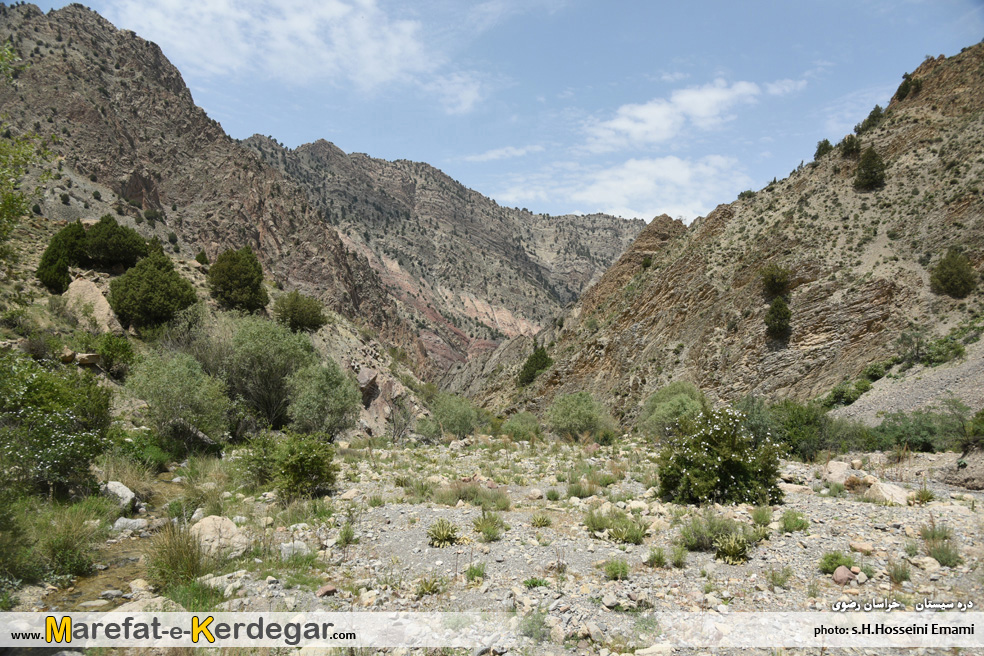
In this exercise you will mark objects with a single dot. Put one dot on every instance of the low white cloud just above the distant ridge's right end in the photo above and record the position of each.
(641, 188)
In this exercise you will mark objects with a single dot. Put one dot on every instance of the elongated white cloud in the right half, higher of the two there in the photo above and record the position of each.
(660, 120)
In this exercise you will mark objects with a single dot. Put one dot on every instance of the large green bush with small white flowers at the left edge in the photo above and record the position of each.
(53, 424)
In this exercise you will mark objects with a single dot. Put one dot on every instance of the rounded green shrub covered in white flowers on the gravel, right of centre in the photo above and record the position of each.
(715, 459)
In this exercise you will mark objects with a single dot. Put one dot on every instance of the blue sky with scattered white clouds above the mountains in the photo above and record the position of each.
(634, 108)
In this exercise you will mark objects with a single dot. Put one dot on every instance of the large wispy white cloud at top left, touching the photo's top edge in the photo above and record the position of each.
(303, 42)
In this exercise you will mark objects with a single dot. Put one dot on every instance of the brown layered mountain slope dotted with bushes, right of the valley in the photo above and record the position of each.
(860, 263)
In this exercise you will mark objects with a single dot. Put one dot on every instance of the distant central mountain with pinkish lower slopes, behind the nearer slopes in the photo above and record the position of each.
(467, 271)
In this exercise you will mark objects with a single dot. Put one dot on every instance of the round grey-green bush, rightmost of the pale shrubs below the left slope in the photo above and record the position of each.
(322, 399)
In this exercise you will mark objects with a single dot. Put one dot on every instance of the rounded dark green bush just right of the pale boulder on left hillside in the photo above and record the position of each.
(150, 293)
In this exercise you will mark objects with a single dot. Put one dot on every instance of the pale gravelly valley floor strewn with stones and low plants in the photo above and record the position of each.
(552, 576)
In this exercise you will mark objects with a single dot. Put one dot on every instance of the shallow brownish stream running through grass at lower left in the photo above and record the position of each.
(119, 561)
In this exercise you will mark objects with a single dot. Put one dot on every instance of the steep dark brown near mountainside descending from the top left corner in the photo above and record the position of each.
(124, 122)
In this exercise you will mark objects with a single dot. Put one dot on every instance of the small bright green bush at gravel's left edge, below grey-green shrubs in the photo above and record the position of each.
(305, 466)
